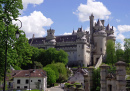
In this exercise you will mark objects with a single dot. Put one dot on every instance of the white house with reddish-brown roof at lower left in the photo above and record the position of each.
(27, 79)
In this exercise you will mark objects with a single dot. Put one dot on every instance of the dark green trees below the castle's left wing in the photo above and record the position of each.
(49, 56)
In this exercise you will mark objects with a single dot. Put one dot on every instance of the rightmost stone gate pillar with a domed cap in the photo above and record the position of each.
(120, 77)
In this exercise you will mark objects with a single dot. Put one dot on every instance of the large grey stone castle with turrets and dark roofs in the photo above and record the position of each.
(84, 48)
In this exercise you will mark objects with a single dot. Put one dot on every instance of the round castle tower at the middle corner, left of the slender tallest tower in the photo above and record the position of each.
(81, 48)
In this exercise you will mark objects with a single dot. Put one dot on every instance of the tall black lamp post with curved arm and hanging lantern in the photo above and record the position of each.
(17, 36)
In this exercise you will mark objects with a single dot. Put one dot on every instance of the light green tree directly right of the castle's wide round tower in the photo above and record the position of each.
(110, 52)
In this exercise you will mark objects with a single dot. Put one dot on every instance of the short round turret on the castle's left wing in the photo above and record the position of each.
(50, 39)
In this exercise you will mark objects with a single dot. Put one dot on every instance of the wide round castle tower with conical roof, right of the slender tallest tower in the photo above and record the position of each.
(99, 41)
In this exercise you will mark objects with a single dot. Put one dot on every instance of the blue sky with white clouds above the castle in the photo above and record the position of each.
(64, 16)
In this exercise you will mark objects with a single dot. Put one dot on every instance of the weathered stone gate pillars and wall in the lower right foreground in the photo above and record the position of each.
(108, 81)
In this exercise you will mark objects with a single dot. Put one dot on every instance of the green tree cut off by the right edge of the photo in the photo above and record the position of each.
(127, 50)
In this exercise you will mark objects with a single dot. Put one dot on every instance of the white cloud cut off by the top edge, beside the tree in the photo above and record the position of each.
(34, 2)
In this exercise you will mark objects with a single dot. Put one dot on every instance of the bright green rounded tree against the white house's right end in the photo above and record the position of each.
(51, 77)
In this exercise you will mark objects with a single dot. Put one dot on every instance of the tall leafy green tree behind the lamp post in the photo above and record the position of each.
(18, 50)
